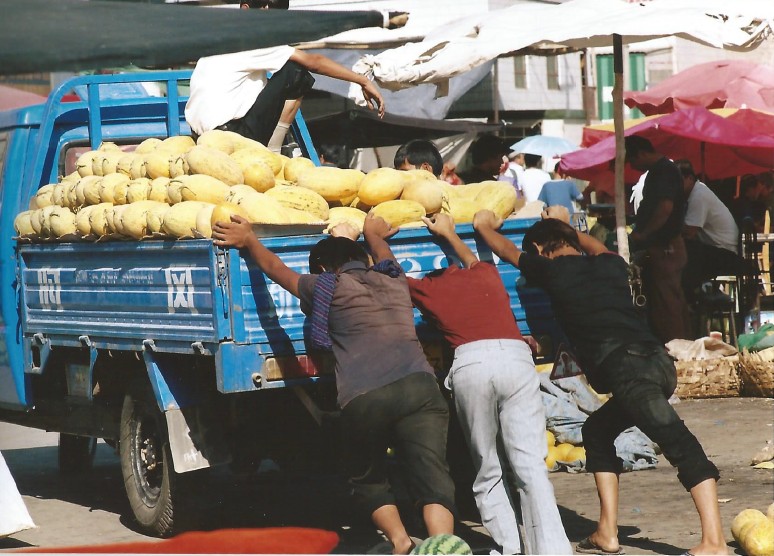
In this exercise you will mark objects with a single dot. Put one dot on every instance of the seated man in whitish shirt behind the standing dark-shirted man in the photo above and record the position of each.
(710, 232)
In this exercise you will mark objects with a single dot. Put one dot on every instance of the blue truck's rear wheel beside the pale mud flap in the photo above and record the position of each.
(146, 464)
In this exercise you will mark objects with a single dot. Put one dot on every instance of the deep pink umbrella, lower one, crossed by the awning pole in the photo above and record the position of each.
(716, 146)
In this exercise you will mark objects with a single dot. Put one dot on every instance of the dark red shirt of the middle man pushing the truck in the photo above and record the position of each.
(466, 304)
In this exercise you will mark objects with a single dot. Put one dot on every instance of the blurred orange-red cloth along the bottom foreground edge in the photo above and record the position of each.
(271, 540)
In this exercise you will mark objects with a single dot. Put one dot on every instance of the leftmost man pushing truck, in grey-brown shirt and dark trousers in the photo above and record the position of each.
(387, 391)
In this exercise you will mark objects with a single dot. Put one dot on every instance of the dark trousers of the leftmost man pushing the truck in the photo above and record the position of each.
(410, 416)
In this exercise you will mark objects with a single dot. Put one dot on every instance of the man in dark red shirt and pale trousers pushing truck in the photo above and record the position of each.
(495, 388)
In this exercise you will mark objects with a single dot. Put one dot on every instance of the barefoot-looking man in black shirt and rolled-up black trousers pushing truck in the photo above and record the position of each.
(619, 355)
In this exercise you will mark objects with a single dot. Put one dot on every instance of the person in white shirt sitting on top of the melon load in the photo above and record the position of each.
(232, 91)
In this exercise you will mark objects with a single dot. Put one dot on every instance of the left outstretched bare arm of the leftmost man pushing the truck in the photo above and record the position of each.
(239, 233)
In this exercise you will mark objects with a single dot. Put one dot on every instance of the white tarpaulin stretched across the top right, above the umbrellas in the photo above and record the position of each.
(469, 42)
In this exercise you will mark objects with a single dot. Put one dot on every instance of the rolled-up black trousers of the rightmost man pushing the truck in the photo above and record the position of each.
(641, 378)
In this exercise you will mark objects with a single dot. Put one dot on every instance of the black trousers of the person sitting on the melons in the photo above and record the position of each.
(292, 81)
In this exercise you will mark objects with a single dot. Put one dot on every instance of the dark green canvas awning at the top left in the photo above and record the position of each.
(73, 35)
